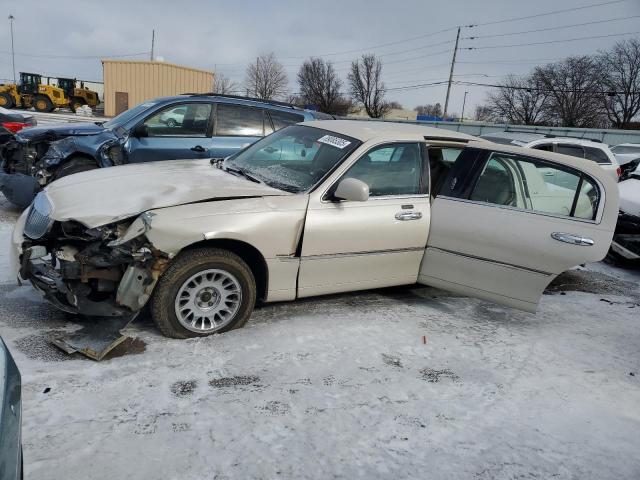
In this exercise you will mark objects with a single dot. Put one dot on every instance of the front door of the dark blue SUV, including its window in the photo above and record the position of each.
(176, 132)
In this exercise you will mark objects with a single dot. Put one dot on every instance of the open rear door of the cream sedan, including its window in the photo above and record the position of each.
(501, 230)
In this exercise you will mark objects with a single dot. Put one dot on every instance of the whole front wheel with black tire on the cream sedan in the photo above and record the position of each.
(178, 289)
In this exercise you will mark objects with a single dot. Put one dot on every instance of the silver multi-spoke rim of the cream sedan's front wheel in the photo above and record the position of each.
(208, 301)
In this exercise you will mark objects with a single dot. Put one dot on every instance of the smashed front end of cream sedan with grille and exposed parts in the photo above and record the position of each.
(104, 271)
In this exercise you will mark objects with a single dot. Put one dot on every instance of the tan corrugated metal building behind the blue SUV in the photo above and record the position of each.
(128, 83)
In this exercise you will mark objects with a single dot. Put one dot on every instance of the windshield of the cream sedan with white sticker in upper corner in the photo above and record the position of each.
(295, 158)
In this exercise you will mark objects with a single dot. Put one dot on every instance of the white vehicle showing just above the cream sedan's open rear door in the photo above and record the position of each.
(581, 148)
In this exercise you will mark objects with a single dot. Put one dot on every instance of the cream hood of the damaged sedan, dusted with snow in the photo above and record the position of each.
(102, 196)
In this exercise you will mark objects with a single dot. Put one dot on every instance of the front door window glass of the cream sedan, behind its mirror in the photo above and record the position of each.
(394, 169)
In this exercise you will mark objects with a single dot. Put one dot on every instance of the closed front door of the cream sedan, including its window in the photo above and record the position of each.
(351, 245)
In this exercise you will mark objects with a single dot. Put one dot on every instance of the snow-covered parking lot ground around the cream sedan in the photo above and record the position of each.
(406, 382)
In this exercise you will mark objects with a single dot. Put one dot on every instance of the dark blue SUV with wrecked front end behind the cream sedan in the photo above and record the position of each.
(169, 128)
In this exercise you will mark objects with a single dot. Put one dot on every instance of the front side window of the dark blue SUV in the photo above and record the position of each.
(191, 120)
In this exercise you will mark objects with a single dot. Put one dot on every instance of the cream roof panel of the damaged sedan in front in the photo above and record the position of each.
(365, 130)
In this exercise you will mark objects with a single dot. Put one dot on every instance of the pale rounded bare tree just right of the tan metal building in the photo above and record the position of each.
(266, 78)
